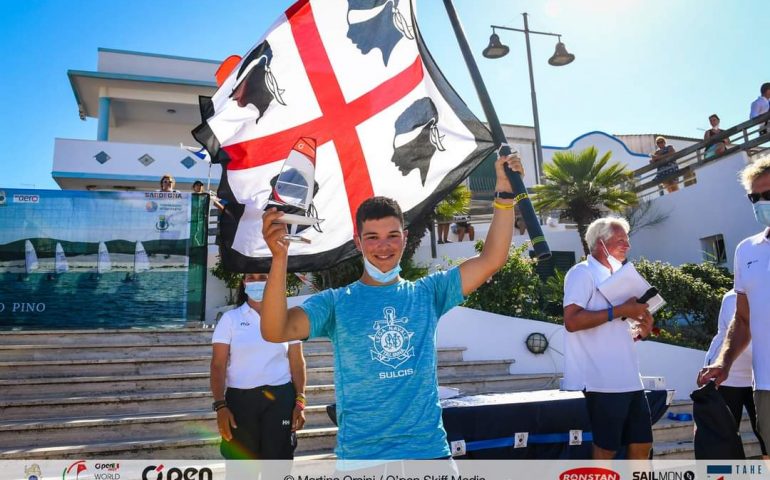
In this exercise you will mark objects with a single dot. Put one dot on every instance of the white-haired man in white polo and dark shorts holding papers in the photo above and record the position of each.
(600, 356)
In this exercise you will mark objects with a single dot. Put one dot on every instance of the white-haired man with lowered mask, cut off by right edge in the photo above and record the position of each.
(752, 312)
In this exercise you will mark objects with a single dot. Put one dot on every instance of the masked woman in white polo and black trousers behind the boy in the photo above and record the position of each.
(258, 386)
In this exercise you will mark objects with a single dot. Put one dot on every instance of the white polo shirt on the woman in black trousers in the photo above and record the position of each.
(253, 361)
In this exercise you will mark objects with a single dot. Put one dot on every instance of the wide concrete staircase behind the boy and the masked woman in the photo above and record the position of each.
(145, 394)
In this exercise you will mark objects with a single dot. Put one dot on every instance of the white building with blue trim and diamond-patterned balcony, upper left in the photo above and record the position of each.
(146, 104)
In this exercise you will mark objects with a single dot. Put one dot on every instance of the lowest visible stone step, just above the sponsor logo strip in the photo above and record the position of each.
(190, 447)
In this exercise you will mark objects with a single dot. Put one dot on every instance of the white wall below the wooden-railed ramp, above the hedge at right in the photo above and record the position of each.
(716, 204)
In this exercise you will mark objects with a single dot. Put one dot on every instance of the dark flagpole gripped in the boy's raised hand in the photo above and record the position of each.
(539, 245)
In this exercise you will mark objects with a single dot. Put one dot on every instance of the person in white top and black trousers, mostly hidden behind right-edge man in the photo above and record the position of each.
(737, 389)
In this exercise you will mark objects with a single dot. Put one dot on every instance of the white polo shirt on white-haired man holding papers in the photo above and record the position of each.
(603, 358)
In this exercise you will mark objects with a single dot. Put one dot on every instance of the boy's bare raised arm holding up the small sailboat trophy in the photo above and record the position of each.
(279, 323)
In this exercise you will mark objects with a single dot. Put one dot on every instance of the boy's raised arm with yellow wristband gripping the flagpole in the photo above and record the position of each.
(475, 271)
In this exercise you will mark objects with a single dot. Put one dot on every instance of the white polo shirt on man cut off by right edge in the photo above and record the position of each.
(752, 277)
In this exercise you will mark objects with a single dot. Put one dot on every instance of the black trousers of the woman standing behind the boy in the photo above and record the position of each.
(263, 415)
